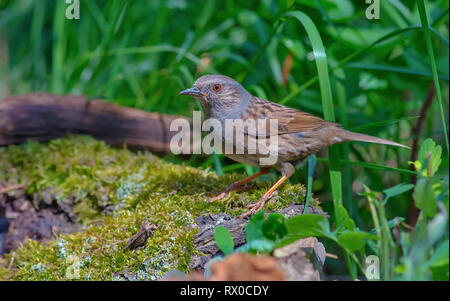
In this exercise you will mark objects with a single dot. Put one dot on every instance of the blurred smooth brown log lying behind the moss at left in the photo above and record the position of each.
(43, 117)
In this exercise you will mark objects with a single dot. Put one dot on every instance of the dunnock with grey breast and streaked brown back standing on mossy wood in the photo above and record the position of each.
(299, 134)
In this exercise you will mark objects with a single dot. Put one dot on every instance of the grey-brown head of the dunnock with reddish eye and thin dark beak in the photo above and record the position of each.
(217, 90)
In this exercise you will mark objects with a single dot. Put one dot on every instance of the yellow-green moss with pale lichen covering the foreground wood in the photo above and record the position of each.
(138, 187)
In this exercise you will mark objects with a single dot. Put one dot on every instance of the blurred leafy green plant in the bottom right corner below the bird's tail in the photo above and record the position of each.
(421, 252)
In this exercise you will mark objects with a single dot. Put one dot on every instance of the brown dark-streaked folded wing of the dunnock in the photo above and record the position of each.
(289, 120)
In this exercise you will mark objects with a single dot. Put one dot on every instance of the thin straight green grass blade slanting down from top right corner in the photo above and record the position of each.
(427, 36)
